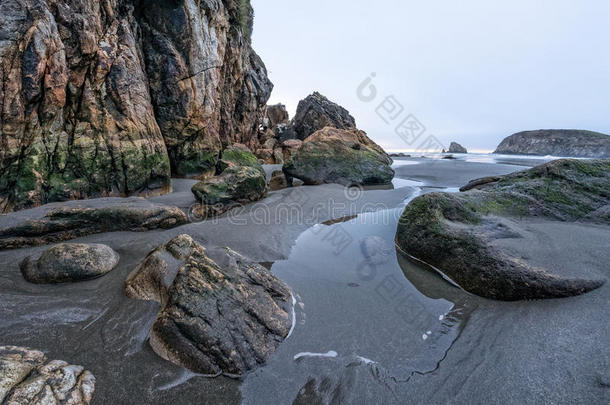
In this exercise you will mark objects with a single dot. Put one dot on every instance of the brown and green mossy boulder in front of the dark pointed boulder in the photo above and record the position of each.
(346, 157)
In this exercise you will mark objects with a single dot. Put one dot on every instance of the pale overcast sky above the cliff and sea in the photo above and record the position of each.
(473, 71)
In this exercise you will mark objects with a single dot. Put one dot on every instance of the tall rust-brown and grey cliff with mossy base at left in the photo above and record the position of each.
(109, 98)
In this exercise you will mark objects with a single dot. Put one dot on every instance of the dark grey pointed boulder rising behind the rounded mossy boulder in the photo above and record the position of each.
(316, 112)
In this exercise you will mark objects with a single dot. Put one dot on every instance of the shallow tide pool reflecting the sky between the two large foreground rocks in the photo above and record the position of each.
(384, 318)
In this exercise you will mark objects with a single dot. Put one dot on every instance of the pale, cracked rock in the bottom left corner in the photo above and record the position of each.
(27, 378)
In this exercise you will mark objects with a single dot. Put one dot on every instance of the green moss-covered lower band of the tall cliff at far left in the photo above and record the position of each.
(88, 169)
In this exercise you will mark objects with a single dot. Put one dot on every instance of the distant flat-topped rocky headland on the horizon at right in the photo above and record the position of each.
(557, 142)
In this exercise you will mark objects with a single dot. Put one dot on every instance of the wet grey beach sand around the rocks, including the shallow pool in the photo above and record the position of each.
(384, 329)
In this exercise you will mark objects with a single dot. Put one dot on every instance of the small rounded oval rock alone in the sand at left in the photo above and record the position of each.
(67, 262)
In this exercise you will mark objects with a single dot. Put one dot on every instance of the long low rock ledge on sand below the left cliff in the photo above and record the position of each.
(59, 222)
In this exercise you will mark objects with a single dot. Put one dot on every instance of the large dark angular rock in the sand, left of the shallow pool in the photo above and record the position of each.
(214, 319)
